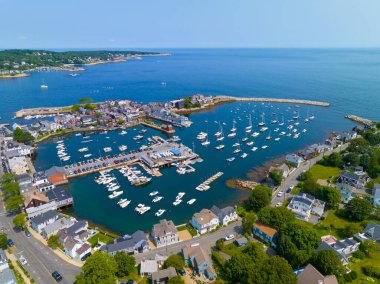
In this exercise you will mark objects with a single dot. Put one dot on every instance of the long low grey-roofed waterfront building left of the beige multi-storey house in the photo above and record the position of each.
(130, 244)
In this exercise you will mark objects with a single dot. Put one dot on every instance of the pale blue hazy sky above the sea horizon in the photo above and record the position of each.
(189, 23)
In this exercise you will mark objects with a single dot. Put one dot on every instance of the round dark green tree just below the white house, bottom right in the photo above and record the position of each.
(327, 262)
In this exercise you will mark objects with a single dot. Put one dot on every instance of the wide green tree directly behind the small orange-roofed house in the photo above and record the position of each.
(276, 216)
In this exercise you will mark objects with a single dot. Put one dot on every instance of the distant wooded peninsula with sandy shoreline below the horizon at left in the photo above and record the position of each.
(14, 63)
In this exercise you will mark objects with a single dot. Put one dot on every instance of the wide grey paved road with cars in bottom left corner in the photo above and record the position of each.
(42, 261)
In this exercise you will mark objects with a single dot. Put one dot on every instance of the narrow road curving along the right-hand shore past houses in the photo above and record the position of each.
(291, 180)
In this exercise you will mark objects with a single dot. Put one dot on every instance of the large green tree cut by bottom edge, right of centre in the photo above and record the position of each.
(274, 270)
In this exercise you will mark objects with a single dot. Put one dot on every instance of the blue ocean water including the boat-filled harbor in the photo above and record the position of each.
(349, 79)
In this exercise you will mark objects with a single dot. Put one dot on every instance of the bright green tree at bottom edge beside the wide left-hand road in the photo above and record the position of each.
(98, 268)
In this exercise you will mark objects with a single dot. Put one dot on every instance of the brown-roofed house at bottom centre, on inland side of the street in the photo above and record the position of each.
(199, 259)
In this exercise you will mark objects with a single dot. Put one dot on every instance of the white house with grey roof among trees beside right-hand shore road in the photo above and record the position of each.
(303, 205)
